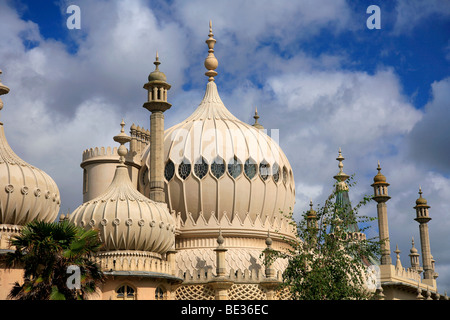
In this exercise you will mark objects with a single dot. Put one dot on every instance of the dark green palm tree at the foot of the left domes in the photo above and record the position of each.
(45, 251)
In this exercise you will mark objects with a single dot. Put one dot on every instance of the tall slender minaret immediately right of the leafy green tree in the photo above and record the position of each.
(380, 190)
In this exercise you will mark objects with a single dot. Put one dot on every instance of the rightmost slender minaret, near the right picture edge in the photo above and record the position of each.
(422, 217)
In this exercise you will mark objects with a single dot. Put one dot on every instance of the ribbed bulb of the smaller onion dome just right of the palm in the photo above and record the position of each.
(127, 220)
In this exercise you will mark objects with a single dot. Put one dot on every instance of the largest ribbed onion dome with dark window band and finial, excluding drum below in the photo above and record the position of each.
(216, 164)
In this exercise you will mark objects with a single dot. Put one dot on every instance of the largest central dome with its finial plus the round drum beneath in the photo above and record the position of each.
(224, 175)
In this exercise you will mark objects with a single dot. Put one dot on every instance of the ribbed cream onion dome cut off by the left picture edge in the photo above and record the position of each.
(26, 192)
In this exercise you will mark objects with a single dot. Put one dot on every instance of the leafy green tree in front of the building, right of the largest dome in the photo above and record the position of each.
(326, 262)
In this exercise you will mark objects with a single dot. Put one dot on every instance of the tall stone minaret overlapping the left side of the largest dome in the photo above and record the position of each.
(157, 88)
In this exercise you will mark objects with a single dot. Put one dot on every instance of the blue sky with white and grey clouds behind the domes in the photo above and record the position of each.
(313, 69)
